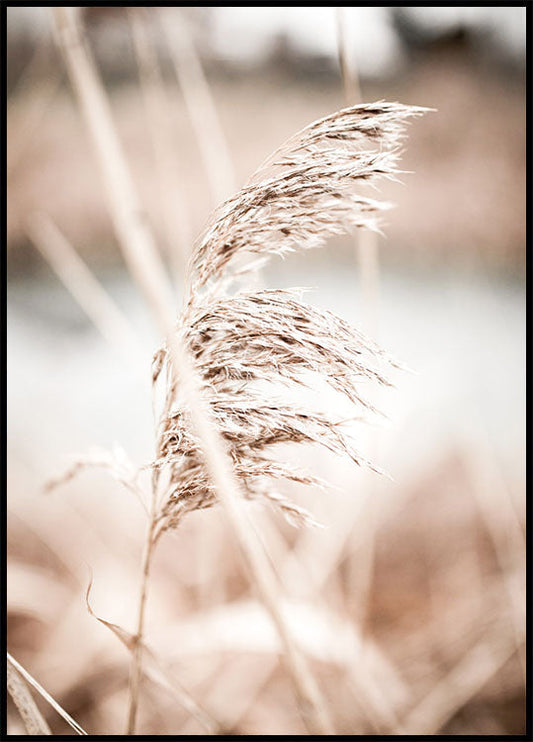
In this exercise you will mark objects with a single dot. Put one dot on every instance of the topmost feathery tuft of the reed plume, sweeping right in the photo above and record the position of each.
(303, 193)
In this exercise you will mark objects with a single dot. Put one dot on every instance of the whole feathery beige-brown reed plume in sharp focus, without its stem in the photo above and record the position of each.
(245, 342)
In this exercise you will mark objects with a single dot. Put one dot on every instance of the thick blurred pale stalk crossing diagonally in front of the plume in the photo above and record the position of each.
(146, 268)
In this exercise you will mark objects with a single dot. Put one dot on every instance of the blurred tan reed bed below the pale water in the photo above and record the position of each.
(440, 650)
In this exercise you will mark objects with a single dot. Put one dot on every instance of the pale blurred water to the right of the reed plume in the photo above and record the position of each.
(464, 336)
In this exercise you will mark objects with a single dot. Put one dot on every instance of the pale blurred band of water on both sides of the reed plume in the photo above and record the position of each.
(465, 338)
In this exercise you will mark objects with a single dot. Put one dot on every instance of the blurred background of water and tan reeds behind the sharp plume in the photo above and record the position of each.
(410, 600)
